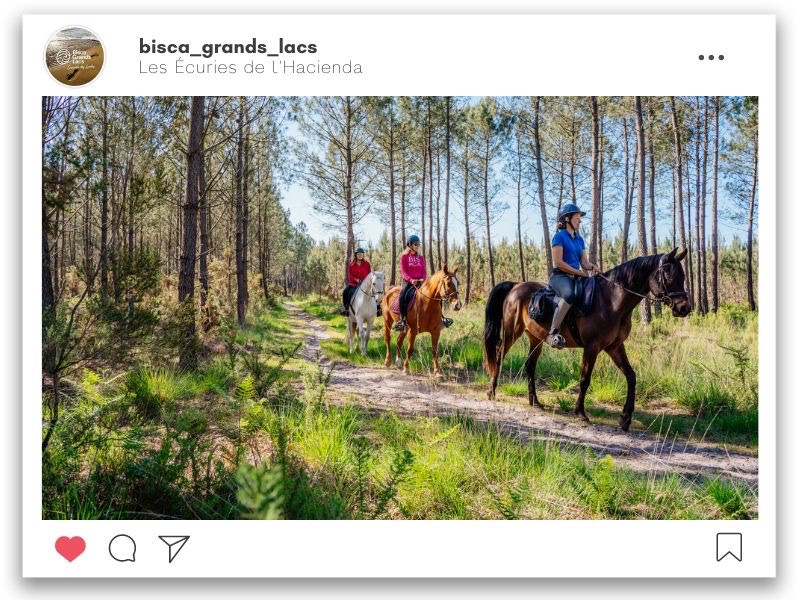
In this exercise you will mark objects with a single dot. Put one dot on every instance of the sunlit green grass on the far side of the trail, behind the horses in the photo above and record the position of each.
(701, 371)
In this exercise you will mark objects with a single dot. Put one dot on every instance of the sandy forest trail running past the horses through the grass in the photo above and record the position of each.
(389, 390)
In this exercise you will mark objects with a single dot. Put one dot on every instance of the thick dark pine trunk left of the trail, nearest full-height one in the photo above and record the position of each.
(188, 355)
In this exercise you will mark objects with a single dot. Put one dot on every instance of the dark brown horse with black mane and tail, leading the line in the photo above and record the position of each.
(617, 292)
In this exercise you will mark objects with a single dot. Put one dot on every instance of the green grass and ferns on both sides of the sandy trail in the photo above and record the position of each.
(154, 442)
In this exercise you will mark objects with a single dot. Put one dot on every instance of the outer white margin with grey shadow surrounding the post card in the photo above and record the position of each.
(603, 588)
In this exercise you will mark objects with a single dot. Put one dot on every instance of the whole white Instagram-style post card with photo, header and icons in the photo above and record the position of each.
(289, 292)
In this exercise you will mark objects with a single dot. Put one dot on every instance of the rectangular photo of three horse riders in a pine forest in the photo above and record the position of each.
(399, 307)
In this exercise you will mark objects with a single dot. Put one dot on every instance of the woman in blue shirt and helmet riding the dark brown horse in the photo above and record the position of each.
(569, 256)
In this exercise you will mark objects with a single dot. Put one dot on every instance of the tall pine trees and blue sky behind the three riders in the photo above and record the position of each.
(189, 197)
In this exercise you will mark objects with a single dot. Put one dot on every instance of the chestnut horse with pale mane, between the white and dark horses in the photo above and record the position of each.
(424, 316)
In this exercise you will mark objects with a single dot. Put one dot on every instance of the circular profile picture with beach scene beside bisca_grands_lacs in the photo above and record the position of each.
(74, 56)
